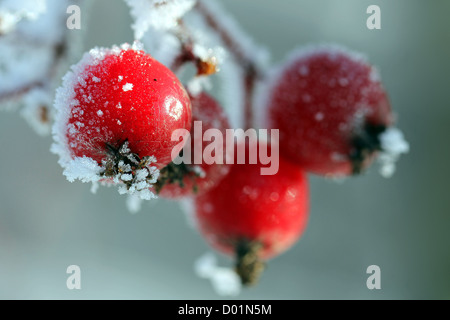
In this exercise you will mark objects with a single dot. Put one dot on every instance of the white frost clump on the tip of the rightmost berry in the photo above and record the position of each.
(393, 145)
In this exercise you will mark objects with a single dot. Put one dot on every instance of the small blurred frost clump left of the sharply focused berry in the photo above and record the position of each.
(37, 110)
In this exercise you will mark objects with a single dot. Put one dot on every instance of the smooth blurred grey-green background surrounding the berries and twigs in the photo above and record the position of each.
(401, 224)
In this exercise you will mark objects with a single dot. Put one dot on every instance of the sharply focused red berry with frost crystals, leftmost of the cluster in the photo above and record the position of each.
(119, 108)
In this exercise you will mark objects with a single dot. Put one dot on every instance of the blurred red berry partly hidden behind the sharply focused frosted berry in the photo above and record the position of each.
(177, 181)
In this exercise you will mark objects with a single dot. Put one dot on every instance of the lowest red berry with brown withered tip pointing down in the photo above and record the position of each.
(254, 216)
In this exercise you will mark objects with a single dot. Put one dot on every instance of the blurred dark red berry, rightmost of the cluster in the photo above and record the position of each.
(330, 108)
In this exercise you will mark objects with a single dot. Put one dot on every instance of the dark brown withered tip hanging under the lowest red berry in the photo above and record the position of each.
(249, 267)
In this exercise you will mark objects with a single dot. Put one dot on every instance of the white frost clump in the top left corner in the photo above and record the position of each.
(13, 11)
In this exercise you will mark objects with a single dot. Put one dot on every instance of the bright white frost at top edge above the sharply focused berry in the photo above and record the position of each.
(157, 14)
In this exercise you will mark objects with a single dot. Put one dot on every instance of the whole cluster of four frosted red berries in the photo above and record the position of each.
(118, 108)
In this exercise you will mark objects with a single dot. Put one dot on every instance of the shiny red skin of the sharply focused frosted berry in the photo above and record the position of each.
(127, 96)
